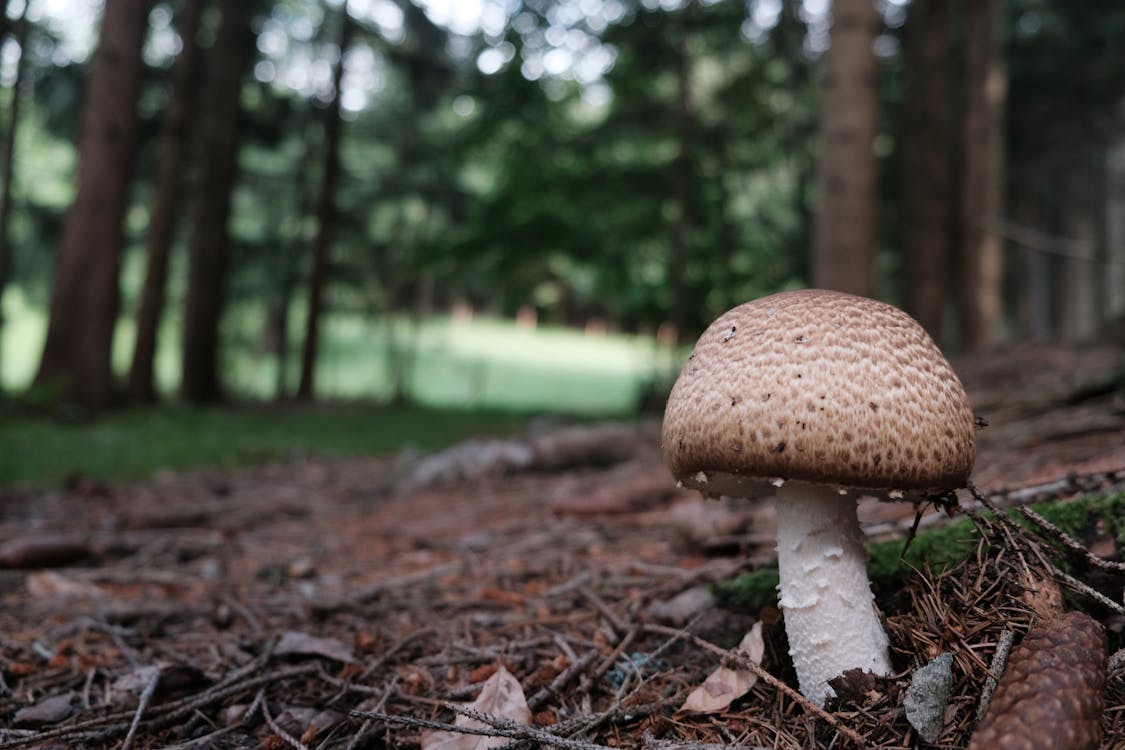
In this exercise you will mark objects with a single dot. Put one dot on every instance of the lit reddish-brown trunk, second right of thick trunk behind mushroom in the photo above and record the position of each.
(983, 187)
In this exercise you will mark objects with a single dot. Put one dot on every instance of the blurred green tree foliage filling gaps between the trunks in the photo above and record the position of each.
(509, 193)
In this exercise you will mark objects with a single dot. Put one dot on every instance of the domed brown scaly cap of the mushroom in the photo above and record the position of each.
(823, 387)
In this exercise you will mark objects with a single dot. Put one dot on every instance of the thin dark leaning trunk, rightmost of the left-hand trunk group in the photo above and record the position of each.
(326, 219)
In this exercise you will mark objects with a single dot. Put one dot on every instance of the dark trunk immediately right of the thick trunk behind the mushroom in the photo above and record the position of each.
(926, 197)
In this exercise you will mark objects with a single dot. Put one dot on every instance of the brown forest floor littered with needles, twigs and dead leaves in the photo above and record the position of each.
(552, 590)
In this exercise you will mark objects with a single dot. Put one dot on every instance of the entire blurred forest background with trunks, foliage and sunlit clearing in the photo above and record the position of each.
(536, 204)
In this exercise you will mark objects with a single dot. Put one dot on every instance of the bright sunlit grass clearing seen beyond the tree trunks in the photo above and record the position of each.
(482, 364)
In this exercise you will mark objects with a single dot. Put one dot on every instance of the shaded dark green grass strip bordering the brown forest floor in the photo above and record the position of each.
(137, 444)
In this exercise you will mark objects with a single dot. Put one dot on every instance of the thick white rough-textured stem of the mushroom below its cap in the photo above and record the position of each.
(831, 617)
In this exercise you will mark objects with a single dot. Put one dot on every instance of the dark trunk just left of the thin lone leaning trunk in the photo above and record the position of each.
(209, 247)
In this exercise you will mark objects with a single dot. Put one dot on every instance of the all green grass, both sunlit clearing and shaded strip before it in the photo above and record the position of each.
(484, 376)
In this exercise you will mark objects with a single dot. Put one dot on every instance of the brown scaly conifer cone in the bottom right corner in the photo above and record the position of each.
(1054, 691)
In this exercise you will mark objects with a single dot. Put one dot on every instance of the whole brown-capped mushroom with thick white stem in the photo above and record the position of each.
(818, 397)
